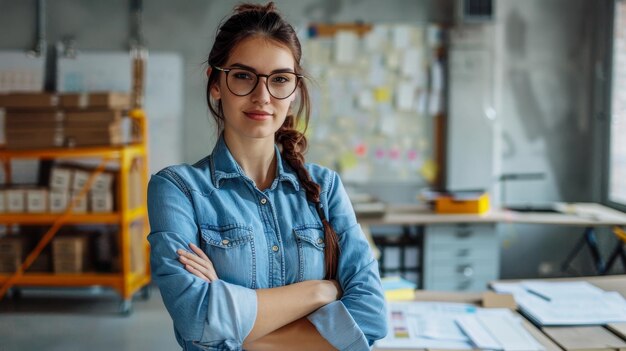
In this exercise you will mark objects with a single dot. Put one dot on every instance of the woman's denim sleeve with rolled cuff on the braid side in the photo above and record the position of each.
(359, 318)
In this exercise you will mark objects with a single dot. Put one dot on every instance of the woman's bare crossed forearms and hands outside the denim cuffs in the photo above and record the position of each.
(280, 321)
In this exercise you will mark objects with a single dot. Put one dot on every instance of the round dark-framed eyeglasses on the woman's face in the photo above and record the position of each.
(242, 82)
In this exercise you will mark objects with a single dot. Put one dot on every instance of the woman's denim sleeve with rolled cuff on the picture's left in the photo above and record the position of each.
(215, 315)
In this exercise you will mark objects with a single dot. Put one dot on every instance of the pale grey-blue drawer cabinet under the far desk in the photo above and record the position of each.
(460, 257)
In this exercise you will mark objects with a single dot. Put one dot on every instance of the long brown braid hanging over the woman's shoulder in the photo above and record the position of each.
(294, 145)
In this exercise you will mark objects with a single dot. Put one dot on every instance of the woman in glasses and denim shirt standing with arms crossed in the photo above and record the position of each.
(251, 247)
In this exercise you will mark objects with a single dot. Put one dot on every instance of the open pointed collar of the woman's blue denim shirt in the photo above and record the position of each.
(224, 166)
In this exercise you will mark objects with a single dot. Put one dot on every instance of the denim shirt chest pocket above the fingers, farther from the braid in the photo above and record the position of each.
(231, 250)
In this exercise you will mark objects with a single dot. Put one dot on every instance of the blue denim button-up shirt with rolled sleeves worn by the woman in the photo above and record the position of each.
(256, 239)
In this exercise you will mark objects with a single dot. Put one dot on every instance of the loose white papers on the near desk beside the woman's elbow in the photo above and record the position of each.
(434, 325)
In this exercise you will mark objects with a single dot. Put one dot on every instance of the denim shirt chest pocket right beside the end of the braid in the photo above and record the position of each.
(310, 241)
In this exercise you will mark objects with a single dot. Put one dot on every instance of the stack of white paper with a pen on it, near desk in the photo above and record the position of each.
(566, 303)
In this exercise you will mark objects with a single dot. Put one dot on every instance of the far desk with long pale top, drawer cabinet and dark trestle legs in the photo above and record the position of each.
(461, 251)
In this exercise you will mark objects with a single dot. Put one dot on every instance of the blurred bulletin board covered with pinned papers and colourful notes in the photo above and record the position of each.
(375, 90)
